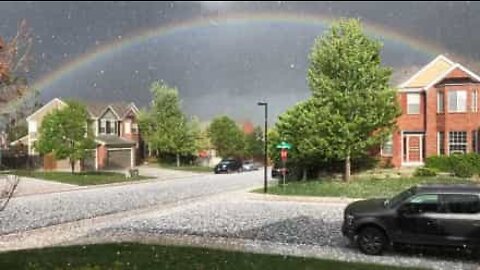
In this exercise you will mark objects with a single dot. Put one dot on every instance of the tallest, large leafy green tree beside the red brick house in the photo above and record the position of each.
(352, 108)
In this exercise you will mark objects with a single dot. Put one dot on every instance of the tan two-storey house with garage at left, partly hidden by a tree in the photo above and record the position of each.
(114, 125)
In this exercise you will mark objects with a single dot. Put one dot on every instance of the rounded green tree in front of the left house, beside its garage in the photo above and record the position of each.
(65, 134)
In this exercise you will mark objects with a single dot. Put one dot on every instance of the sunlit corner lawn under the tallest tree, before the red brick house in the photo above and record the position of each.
(359, 188)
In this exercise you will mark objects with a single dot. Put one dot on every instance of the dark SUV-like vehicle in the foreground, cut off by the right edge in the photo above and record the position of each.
(439, 215)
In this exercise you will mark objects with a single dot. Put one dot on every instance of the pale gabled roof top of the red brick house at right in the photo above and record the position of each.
(434, 72)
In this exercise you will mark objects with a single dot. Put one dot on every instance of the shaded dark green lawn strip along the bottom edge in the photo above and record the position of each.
(138, 256)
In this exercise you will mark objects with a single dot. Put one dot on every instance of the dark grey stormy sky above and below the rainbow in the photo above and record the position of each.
(222, 69)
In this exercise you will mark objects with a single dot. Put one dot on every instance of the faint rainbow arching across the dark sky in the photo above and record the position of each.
(104, 51)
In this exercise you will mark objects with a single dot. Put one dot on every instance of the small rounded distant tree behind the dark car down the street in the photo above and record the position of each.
(227, 138)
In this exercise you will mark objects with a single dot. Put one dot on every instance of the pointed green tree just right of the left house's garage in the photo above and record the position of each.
(164, 125)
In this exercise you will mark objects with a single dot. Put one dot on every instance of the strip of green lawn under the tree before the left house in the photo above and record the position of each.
(82, 178)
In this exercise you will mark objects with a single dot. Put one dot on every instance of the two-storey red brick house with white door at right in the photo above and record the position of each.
(440, 114)
